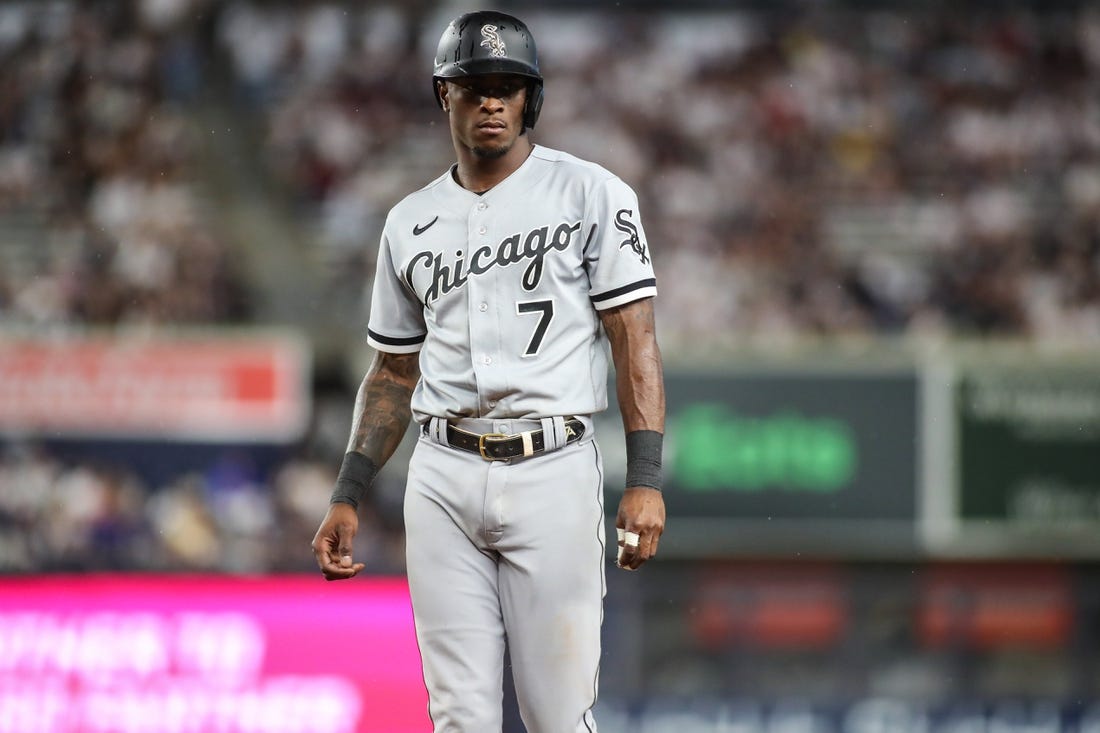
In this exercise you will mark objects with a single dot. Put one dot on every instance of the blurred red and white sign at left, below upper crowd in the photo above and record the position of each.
(233, 387)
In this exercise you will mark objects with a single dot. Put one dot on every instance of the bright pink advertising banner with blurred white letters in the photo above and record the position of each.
(189, 654)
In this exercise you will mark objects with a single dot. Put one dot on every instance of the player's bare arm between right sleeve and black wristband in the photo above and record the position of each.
(640, 375)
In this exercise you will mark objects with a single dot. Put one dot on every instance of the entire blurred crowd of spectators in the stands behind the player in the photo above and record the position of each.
(826, 169)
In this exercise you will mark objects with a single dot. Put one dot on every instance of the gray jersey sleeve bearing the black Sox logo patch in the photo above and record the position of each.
(618, 253)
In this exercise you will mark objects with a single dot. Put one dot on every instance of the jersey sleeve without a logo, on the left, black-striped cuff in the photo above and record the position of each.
(397, 324)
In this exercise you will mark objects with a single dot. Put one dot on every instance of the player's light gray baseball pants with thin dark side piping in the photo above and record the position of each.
(508, 551)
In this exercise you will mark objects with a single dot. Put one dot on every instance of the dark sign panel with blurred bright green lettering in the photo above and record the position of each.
(815, 447)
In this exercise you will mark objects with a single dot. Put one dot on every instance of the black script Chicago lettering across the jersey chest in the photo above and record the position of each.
(534, 246)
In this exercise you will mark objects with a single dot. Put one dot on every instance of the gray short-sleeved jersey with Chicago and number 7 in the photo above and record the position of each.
(501, 291)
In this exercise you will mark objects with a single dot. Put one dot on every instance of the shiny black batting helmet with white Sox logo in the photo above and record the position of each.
(490, 42)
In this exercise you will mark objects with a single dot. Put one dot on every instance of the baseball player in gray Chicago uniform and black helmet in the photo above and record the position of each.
(499, 288)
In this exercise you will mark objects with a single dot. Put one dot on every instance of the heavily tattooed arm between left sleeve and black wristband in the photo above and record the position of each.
(382, 407)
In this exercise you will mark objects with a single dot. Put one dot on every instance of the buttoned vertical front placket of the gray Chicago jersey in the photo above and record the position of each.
(485, 311)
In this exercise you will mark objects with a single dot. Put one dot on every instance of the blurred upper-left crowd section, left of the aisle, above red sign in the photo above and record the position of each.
(102, 218)
